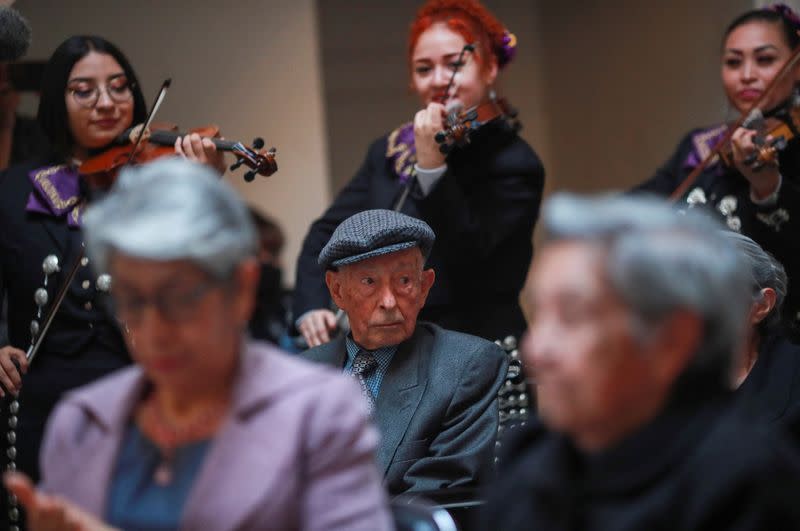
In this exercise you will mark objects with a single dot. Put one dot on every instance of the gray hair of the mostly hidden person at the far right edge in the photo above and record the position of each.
(765, 272)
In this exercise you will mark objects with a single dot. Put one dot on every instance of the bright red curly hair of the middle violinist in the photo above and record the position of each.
(469, 19)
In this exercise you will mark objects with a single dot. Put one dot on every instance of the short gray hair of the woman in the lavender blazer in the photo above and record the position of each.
(171, 209)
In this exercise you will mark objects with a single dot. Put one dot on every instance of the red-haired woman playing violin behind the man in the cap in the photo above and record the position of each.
(481, 198)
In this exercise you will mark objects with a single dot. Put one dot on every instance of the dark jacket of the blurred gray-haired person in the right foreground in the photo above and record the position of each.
(700, 465)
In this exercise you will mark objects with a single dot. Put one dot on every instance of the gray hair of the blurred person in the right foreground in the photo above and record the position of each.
(659, 261)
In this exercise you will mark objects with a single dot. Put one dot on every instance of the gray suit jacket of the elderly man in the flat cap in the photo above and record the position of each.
(436, 410)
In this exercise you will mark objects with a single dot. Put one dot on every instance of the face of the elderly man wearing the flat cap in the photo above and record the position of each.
(382, 296)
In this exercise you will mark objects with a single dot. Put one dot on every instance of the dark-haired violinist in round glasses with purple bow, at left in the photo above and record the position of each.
(90, 95)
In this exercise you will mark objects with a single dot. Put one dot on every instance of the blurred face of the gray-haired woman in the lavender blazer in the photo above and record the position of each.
(183, 327)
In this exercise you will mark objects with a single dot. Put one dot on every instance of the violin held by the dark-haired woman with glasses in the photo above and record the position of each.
(101, 169)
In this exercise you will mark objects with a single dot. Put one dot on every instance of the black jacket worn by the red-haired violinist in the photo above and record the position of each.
(482, 210)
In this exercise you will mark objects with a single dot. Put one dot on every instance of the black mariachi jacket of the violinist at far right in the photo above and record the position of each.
(725, 192)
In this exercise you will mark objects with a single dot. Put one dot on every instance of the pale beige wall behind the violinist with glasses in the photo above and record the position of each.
(250, 66)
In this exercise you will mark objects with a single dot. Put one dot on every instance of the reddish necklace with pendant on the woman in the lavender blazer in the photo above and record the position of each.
(168, 435)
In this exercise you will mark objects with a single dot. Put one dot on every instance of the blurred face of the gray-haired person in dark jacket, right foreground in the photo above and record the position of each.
(595, 381)
